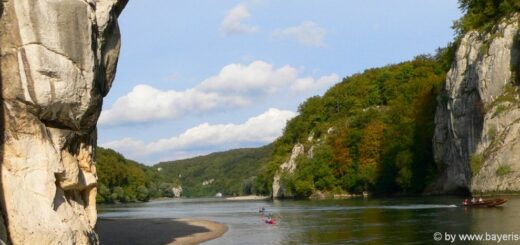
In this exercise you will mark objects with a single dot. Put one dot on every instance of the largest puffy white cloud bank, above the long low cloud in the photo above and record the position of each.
(236, 85)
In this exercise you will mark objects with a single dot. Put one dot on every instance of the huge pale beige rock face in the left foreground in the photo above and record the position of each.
(58, 60)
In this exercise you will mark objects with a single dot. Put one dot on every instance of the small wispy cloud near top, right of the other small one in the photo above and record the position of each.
(307, 33)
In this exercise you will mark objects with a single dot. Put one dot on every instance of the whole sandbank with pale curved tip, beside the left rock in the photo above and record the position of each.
(158, 231)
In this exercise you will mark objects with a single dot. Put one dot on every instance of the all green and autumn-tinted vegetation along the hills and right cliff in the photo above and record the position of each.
(371, 132)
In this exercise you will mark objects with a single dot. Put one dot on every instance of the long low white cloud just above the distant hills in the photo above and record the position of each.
(261, 129)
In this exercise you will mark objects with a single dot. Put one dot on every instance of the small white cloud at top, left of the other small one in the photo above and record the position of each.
(233, 23)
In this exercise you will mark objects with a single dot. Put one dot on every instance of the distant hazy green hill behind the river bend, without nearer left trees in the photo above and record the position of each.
(231, 172)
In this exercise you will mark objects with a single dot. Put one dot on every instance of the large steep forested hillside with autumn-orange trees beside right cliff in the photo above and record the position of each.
(372, 132)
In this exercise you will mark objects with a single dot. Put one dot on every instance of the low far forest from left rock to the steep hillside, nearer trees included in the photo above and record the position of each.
(230, 173)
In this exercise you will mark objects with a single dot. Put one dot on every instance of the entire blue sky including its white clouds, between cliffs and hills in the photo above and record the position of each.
(196, 77)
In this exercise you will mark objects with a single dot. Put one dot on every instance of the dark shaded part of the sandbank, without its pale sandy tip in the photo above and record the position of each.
(144, 231)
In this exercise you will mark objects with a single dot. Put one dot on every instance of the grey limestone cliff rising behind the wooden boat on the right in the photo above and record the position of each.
(477, 134)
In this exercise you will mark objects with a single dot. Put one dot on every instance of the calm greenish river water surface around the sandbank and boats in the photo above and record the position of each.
(349, 221)
